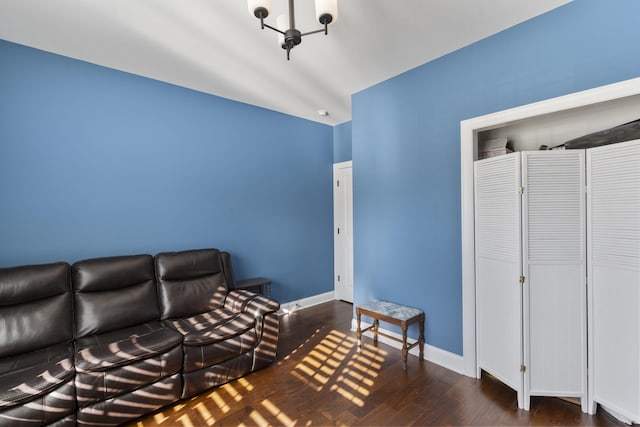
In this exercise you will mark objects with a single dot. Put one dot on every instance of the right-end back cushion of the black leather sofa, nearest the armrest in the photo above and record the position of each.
(190, 282)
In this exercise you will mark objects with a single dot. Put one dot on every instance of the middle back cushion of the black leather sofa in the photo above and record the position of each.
(113, 293)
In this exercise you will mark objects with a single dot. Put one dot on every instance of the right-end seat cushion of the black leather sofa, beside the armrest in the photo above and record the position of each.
(216, 336)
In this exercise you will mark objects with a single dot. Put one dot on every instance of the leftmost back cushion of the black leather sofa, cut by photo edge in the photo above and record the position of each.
(35, 308)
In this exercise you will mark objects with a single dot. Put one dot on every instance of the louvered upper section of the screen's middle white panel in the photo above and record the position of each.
(554, 205)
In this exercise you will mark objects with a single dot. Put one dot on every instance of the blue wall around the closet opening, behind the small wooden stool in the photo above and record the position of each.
(406, 146)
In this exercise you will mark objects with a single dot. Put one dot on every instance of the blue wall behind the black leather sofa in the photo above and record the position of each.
(96, 162)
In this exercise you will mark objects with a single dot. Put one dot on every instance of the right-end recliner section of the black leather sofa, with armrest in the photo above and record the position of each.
(220, 329)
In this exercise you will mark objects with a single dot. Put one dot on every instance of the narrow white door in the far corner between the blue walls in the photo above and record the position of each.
(343, 230)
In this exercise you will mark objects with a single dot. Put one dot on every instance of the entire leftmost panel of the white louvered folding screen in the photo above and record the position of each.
(498, 270)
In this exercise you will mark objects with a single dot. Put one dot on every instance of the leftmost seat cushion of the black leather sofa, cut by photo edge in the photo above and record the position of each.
(25, 377)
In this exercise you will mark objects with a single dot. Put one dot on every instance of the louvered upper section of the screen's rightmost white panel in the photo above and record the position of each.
(615, 205)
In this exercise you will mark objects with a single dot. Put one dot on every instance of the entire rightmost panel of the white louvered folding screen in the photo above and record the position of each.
(614, 277)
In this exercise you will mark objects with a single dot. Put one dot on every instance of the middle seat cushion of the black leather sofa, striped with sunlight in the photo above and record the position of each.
(123, 347)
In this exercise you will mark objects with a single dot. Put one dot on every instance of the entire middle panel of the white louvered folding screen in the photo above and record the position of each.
(554, 257)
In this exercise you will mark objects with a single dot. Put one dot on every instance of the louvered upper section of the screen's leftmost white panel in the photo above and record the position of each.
(497, 208)
